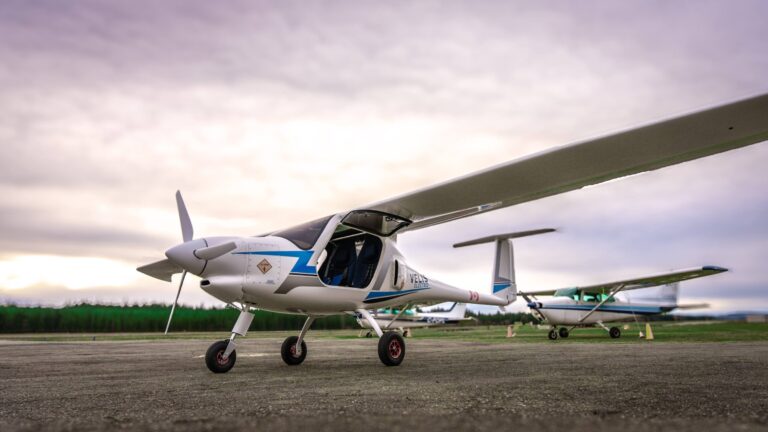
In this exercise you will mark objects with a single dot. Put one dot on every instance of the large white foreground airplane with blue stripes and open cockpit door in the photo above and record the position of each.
(363, 269)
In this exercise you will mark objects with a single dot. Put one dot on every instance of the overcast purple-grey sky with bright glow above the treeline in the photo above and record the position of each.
(269, 114)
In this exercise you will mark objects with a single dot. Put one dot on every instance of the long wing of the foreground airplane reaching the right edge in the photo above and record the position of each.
(574, 166)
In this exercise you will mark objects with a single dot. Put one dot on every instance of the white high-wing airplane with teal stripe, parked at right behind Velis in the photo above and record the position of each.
(596, 305)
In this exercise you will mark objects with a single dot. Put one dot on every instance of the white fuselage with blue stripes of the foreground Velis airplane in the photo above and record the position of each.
(274, 272)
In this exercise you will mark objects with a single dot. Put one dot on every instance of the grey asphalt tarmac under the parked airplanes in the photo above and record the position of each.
(442, 385)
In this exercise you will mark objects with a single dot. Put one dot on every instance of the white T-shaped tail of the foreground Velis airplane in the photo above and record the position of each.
(504, 285)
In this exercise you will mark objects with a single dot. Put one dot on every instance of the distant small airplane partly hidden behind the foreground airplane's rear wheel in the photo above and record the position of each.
(407, 317)
